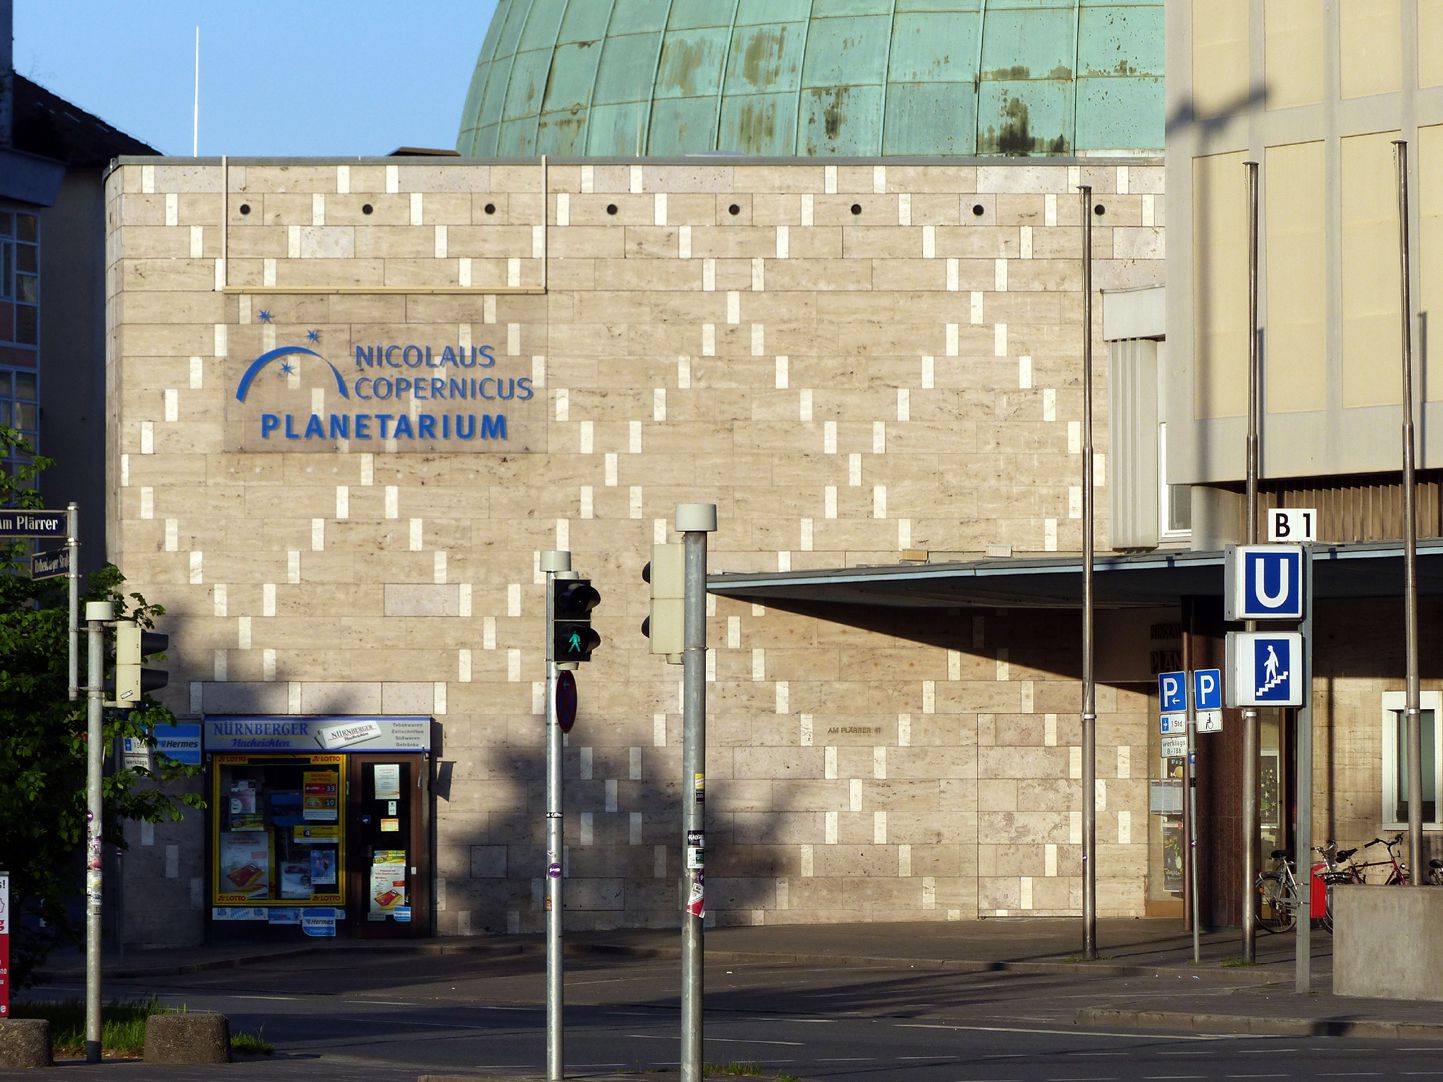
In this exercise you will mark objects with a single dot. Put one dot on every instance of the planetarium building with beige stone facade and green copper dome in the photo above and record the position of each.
(816, 263)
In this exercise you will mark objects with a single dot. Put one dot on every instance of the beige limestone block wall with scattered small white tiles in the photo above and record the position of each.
(855, 363)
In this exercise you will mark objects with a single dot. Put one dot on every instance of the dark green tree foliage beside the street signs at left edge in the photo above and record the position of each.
(44, 741)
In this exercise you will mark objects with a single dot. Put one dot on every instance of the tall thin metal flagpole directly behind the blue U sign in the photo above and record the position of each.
(1250, 532)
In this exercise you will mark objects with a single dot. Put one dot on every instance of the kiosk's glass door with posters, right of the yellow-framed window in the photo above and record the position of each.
(390, 871)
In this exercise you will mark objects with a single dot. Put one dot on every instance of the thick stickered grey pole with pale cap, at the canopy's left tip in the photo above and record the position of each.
(695, 522)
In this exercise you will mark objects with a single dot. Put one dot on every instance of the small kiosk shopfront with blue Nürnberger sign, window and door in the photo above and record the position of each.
(321, 823)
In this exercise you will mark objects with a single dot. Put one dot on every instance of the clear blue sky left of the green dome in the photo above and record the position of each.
(304, 77)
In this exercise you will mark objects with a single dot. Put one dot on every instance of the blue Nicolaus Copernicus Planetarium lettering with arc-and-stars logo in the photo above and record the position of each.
(399, 392)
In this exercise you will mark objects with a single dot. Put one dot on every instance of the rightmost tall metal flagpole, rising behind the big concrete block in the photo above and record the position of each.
(1411, 540)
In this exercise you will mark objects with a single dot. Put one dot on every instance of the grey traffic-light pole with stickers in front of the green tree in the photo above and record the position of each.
(97, 614)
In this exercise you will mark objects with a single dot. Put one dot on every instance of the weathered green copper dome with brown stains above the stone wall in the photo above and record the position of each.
(817, 77)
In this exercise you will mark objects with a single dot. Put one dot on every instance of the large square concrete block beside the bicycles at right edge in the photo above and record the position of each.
(1386, 943)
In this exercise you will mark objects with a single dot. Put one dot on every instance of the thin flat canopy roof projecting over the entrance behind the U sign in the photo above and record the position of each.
(1119, 582)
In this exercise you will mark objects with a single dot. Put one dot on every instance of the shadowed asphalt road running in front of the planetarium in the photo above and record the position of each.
(383, 1018)
